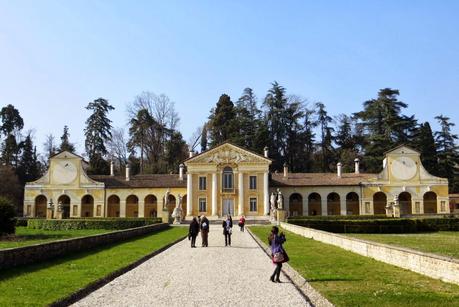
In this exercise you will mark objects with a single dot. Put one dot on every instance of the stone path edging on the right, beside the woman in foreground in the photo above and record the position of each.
(311, 295)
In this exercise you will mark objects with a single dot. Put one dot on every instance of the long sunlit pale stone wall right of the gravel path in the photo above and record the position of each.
(443, 268)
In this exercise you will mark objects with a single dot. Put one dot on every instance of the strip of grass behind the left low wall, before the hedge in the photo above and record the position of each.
(25, 236)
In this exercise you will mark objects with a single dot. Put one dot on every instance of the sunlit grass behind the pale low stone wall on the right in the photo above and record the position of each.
(444, 243)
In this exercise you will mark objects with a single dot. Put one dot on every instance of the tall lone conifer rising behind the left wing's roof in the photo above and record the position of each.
(97, 133)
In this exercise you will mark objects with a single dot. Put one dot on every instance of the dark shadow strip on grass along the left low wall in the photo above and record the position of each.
(18, 271)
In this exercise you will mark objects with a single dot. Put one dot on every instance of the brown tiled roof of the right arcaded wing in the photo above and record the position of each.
(318, 179)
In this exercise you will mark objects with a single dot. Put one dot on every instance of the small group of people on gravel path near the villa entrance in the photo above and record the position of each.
(201, 224)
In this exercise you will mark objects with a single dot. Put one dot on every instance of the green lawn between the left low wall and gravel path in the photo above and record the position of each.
(43, 283)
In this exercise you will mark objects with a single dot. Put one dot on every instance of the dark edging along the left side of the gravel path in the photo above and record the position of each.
(88, 289)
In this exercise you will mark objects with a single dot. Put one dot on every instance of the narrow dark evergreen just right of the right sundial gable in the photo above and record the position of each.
(425, 143)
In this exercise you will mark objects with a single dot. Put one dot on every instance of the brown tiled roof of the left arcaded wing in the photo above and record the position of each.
(141, 181)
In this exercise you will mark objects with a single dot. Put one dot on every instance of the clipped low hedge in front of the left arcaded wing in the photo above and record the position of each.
(109, 224)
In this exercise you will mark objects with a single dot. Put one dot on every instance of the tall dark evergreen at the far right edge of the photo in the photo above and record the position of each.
(448, 152)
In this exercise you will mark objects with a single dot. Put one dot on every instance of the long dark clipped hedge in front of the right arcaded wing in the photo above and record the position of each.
(380, 225)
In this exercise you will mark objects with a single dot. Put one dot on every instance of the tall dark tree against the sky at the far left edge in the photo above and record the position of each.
(11, 125)
